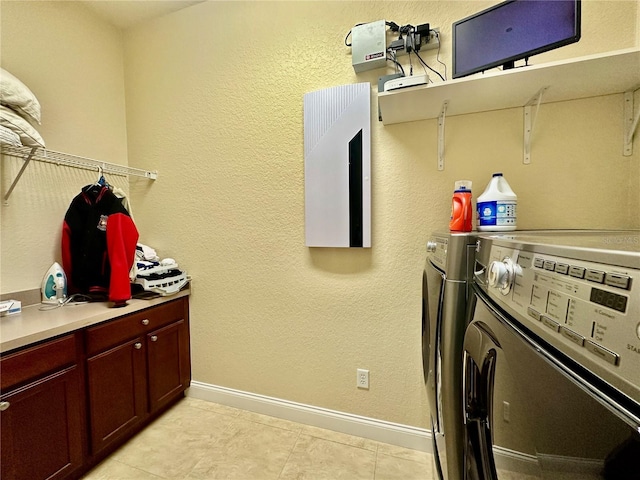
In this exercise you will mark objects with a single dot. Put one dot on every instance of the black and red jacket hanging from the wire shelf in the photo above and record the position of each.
(98, 244)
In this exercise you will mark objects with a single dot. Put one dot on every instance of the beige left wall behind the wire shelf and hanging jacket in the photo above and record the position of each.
(72, 61)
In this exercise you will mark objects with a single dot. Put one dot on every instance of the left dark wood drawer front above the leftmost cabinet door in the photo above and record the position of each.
(31, 363)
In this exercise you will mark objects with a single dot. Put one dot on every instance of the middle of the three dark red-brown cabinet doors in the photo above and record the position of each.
(117, 392)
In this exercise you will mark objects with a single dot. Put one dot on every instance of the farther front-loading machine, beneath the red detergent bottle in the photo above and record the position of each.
(445, 294)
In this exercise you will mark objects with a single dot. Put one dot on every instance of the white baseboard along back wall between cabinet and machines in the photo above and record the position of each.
(378, 430)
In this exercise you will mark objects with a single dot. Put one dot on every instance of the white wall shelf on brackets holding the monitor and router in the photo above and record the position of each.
(582, 77)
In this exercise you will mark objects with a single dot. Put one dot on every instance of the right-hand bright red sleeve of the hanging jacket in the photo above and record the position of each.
(122, 237)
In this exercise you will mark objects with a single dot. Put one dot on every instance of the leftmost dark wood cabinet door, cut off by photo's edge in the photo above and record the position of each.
(41, 428)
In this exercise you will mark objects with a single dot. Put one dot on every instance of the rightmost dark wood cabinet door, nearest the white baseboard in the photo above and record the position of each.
(169, 363)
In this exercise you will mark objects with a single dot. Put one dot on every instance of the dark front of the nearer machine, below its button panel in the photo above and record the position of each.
(526, 418)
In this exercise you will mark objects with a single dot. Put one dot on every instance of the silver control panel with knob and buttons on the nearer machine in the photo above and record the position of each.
(588, 310)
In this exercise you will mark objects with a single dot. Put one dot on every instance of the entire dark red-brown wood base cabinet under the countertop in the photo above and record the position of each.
(67, 403)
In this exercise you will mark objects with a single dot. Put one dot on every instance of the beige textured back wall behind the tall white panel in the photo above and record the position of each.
(214, 101)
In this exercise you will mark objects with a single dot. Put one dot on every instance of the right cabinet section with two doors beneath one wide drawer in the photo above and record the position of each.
(136, 365)
